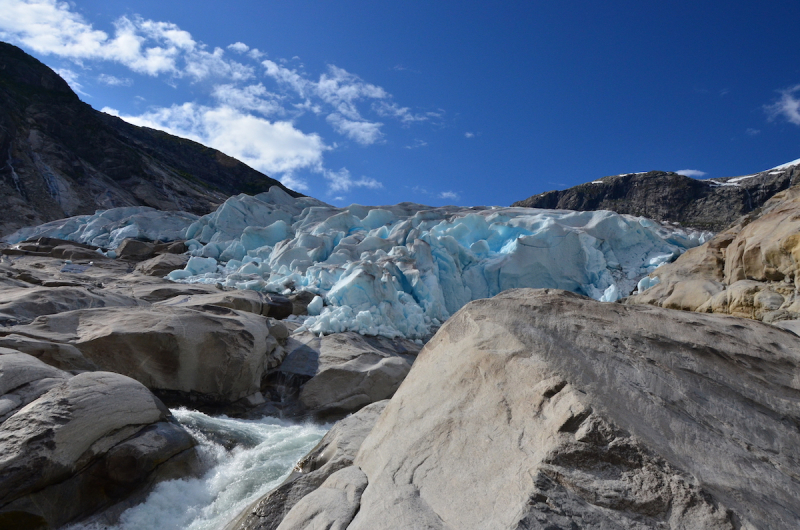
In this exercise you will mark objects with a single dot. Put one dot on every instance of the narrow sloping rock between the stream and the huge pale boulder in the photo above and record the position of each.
(335, 452)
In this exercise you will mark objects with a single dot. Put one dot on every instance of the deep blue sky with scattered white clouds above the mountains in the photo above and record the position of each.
(439, 102)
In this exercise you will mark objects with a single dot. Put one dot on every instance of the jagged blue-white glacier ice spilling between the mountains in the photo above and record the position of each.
(398, 270)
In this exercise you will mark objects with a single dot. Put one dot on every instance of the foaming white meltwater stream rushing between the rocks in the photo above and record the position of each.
(264, 453)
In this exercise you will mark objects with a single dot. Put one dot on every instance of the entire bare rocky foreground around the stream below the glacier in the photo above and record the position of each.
(679, 408)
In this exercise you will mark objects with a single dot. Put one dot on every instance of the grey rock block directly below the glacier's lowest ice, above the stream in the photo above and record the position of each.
(342, 372)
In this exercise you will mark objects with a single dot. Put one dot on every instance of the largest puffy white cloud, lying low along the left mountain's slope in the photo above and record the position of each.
(271, 147)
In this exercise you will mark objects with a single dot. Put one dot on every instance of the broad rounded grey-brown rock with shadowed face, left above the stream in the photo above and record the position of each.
(217, 355)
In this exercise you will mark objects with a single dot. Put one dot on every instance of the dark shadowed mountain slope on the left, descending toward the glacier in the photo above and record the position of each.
(61, 158)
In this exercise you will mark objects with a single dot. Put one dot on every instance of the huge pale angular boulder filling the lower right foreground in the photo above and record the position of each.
(544, 409)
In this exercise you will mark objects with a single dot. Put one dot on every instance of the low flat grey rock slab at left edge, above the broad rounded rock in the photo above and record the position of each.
(22, 305)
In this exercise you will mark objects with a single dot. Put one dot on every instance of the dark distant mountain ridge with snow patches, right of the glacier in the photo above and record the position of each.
(712, 204)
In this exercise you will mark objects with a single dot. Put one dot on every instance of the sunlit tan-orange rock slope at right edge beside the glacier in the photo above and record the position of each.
(749, 270)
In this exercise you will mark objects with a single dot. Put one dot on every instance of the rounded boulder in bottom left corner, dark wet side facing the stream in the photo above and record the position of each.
(70, 446)
